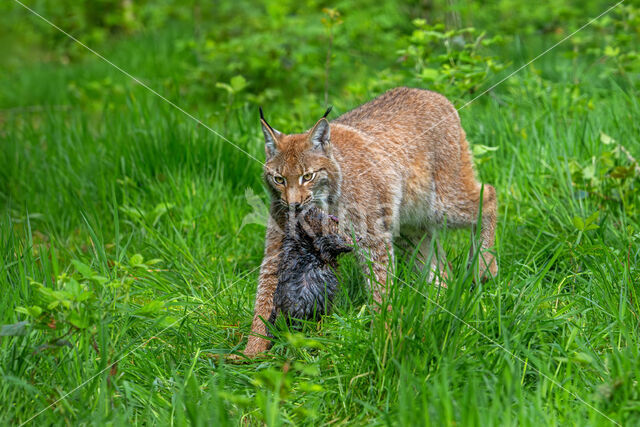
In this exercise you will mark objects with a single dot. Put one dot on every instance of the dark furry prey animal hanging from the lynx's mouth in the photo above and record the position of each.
(306, 276)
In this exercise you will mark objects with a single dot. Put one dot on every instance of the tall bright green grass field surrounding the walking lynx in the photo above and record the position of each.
(125, 272)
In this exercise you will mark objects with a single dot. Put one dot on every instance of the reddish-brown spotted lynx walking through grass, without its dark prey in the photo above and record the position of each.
(398, 165)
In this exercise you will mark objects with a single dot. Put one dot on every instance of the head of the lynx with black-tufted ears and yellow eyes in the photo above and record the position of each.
(300, 168)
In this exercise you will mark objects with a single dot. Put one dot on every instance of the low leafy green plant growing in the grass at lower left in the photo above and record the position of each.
(68, 311)
